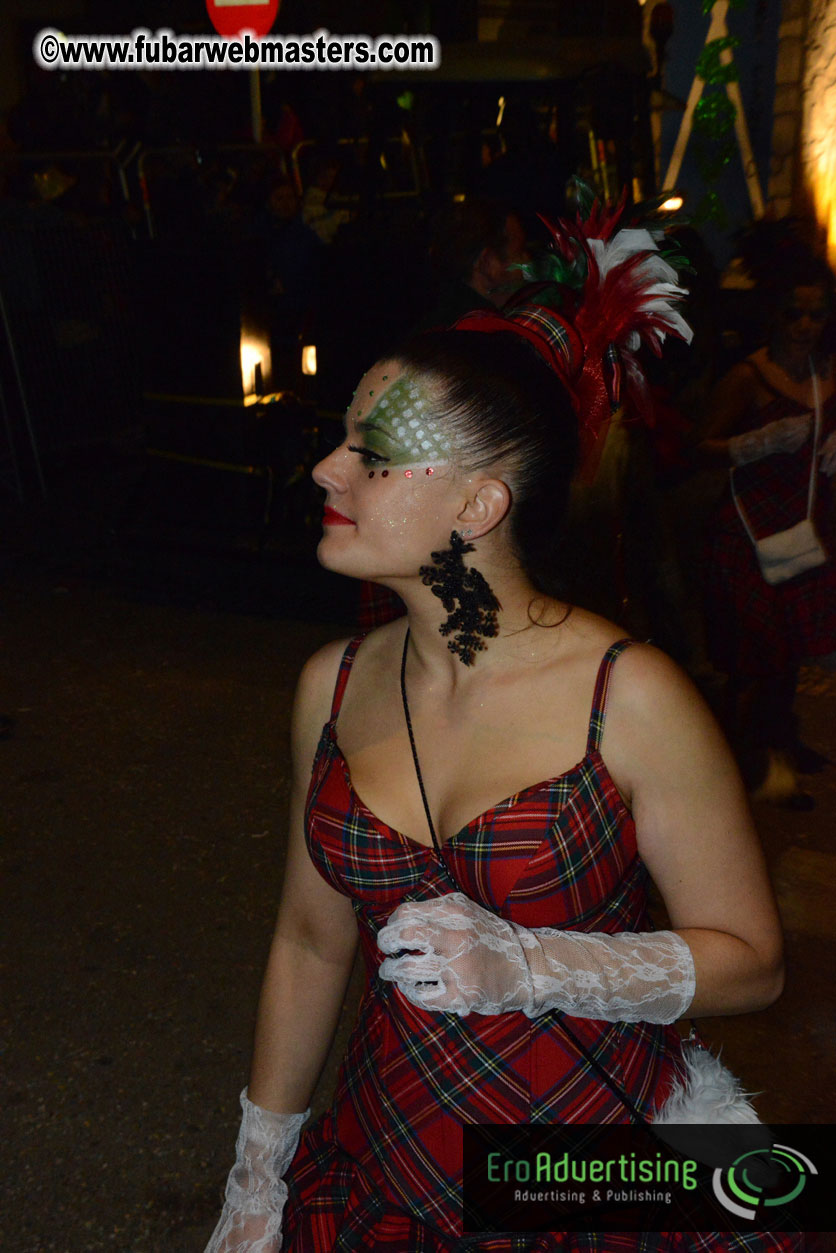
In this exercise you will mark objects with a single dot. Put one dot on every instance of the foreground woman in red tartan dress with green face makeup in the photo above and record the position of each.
(501, 904)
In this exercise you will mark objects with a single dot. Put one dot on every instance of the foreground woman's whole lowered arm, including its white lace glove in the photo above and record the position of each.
(308, 973)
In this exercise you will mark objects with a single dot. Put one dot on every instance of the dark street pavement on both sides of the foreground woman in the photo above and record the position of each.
(145, 788)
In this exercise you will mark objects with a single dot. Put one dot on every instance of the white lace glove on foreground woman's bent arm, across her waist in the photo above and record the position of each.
(464, 960)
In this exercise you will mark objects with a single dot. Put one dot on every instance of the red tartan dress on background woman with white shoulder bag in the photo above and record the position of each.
(755, 630)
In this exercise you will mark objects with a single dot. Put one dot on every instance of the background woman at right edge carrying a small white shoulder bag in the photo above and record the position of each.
(759, 633)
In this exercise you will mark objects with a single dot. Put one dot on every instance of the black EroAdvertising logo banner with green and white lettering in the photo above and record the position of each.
(645, 1178)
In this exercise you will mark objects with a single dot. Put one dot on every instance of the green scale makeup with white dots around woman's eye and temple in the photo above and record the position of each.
(400, 425)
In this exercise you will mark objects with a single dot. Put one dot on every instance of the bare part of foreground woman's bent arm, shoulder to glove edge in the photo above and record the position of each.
(695, 831)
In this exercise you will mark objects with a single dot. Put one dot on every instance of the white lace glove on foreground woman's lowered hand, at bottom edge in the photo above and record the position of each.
(251, 1221)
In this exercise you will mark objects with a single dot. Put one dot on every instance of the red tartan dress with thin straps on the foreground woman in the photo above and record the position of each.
(382, 1171)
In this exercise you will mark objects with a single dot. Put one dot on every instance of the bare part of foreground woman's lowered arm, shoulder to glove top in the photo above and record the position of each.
(316, 935)
